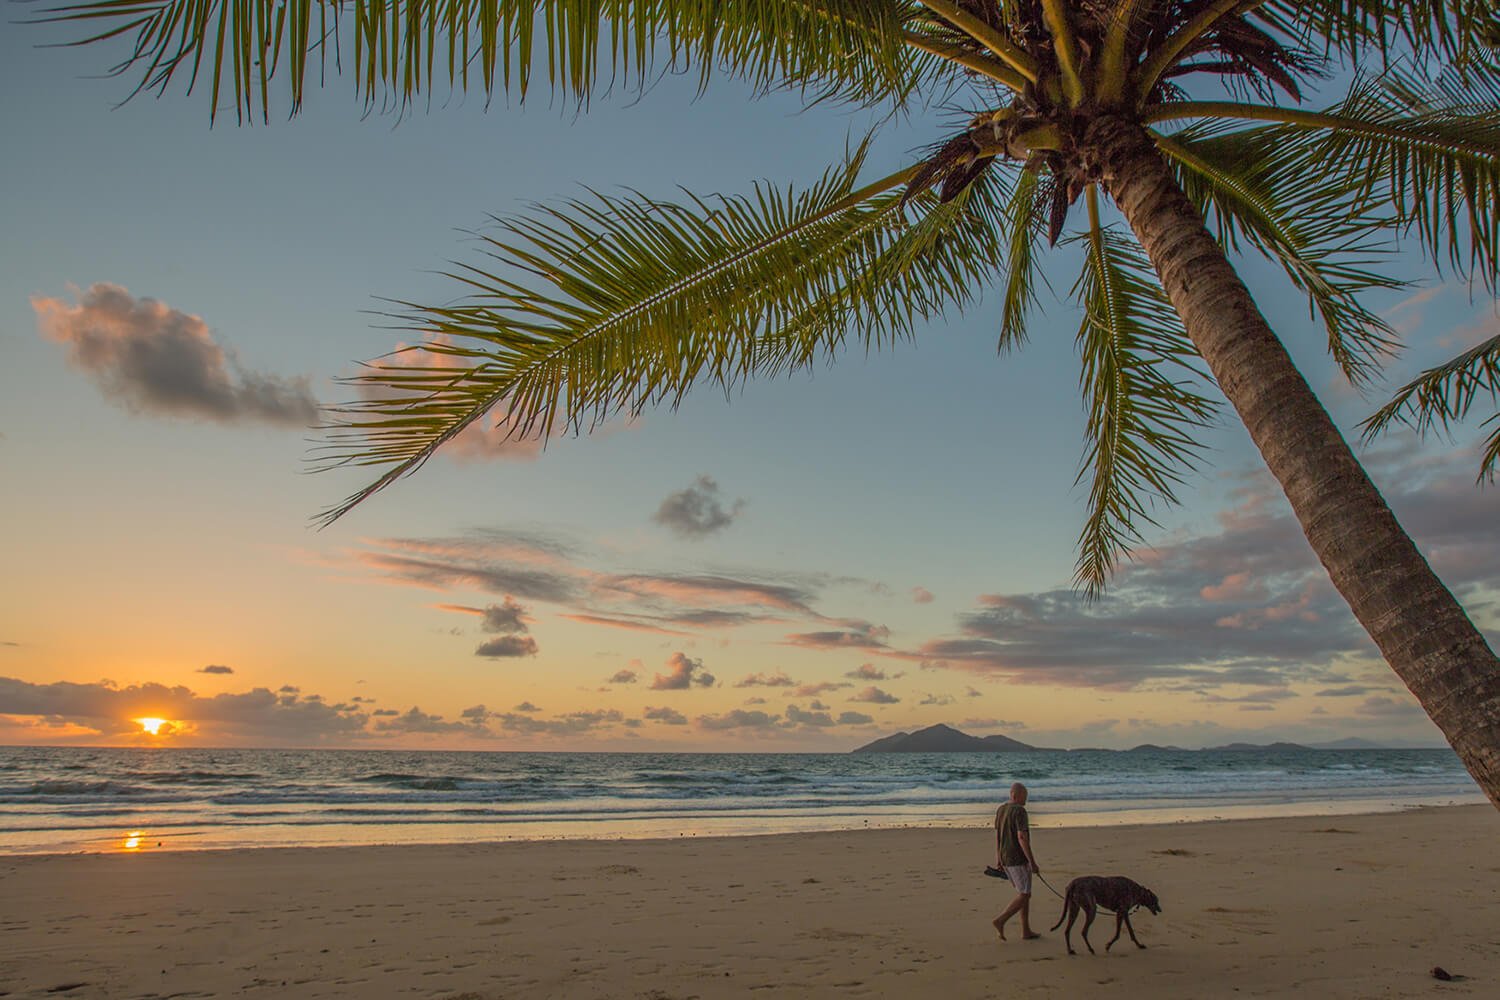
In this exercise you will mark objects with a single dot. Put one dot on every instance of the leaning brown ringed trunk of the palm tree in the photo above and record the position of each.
(1421, 630)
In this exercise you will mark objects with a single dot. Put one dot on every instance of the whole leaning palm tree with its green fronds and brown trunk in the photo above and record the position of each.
(1183, 119)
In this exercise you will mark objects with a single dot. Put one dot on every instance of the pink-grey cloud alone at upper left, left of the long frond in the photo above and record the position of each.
(154, 359)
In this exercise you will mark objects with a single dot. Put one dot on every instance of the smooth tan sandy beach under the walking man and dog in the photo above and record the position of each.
(1351, 906)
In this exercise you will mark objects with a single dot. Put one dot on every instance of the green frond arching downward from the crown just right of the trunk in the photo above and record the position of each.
(1312, 232)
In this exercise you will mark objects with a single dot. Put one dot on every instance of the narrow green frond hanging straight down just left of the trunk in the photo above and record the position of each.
(1138, 376)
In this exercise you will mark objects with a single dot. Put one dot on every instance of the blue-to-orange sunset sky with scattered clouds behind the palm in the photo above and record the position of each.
(872, 546)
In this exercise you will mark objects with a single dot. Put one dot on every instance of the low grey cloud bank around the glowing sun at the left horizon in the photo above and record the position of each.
(253, 716)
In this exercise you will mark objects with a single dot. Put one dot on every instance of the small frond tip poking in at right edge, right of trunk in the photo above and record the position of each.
(1442, 397)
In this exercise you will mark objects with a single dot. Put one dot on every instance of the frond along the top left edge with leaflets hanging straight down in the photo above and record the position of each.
(401, 50)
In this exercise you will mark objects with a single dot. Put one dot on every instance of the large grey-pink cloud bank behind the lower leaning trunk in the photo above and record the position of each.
(1243, 605)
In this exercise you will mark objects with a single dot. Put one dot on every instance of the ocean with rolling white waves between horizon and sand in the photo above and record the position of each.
(82, 800)
